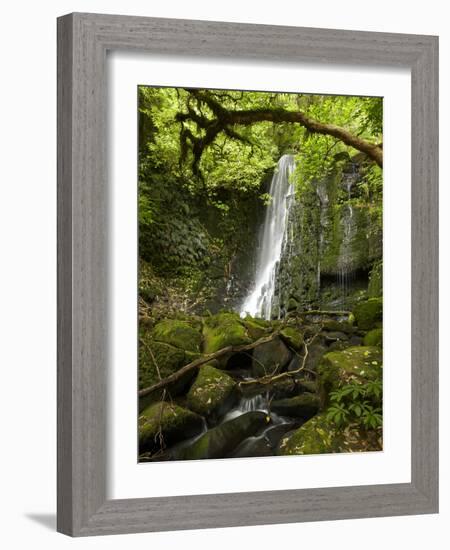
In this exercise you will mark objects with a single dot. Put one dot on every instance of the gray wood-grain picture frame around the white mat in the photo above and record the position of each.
(83, 40)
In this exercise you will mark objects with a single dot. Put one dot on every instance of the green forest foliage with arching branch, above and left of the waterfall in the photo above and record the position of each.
(206, 156)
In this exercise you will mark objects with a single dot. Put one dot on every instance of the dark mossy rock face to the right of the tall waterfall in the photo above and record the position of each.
(335, 240)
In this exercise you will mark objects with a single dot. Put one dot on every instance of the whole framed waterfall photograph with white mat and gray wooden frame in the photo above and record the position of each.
(247, 274)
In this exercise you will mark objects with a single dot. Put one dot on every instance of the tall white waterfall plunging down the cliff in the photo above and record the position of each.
(259, 301)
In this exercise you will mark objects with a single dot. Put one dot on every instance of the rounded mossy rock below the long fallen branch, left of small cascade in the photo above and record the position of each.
(211, 392)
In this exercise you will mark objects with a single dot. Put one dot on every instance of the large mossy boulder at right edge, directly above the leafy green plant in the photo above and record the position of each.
(357, 364)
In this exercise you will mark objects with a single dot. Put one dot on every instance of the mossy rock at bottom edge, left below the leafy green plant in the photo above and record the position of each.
(317, 436)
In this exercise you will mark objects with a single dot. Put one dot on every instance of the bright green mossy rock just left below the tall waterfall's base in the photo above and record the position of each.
(223, 330)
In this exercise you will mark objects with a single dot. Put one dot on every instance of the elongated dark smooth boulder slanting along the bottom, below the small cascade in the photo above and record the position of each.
(221, 440)
